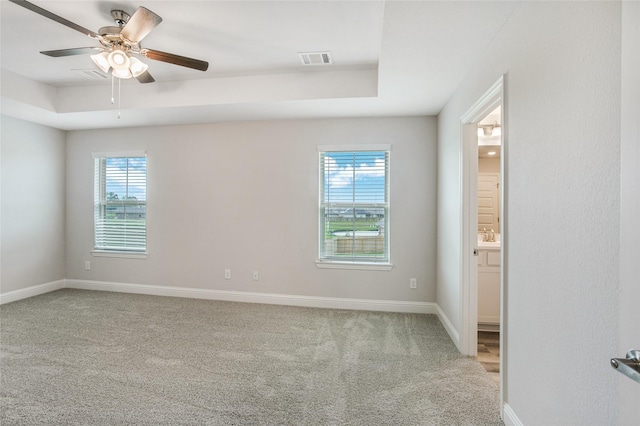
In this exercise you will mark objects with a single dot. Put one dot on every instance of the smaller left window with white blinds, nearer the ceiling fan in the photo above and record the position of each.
(120, 202)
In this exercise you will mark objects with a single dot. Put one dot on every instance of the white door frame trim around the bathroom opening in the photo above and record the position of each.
(491, 99)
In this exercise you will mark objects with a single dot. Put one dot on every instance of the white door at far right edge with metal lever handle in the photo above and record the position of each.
(629, 330)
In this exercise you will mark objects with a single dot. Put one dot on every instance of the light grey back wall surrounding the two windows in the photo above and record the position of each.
(244, 196)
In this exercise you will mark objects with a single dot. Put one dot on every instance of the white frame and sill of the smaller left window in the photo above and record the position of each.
(101, 202)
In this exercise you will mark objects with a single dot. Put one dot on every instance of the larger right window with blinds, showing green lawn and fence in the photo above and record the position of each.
(354, 204)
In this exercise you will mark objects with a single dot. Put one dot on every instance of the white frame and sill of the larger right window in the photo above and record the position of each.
(355, 262)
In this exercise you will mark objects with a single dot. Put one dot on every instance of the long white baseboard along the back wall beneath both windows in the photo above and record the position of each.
(250, 297)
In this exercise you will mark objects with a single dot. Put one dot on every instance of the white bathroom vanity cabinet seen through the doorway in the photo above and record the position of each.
(488, 287)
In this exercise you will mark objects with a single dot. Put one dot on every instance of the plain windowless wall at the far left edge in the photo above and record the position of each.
(33, 192)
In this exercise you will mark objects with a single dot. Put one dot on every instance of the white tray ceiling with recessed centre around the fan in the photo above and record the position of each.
(389, 59)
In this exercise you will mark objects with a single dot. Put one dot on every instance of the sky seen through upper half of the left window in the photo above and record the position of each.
(126, 177)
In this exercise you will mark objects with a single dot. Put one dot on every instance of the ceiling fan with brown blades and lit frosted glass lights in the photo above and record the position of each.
(119, 44)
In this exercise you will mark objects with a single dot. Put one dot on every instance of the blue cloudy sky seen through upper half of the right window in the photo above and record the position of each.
(357, 177)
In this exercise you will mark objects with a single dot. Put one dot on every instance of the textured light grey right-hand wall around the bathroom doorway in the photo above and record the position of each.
(562, 66)
